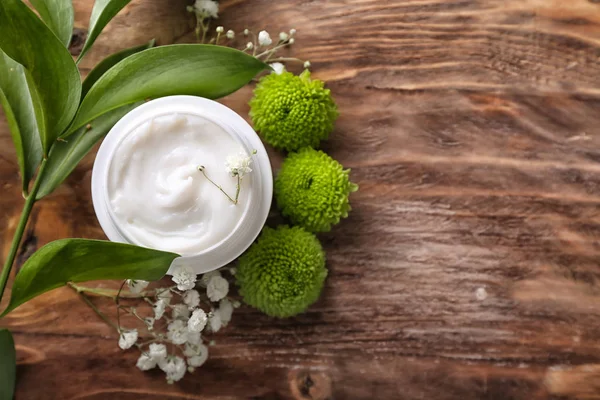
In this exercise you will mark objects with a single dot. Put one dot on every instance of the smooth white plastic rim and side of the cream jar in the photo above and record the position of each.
(253, 218)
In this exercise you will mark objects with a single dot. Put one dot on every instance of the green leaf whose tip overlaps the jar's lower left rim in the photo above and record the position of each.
(81, 260)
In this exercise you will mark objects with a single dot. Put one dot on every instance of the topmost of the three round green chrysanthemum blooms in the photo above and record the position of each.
(292, 111)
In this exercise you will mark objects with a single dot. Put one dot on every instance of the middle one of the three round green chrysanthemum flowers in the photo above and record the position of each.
(312, 190)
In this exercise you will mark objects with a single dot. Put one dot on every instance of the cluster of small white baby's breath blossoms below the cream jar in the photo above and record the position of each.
(183, 328)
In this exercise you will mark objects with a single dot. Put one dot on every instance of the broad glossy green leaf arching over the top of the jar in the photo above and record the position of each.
(193, 69)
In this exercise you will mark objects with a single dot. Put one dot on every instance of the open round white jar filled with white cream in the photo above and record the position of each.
(160, 181)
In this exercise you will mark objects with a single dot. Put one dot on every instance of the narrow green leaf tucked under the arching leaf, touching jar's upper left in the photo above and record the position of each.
(65, 155)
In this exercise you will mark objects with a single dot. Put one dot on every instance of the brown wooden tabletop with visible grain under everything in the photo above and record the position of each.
(469, 267)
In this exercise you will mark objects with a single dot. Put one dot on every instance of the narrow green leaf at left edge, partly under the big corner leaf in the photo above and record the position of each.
(16, 98)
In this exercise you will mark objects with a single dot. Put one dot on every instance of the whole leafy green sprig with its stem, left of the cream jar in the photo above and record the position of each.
(54, 123)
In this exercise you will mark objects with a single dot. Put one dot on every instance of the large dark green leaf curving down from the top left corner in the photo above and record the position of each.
(28, 41)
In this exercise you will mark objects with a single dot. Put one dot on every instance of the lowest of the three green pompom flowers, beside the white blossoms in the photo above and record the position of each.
(283, 272)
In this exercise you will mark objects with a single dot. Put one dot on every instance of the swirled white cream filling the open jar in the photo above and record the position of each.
(158, 197)
